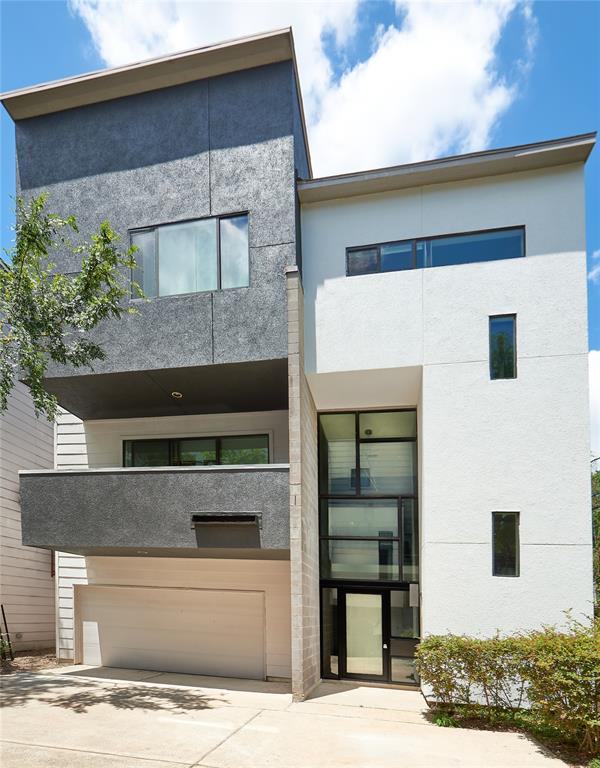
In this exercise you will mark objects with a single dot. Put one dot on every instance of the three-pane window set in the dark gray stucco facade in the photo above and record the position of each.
(201, 255)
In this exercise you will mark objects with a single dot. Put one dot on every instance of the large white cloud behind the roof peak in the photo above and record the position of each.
(430, 86)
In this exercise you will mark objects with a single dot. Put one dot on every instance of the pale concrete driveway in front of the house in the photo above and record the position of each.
(109, 718)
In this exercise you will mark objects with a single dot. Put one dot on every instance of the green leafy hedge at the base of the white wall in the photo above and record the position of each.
(547, 682)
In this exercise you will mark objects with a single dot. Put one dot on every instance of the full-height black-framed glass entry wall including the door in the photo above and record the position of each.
(369, 545)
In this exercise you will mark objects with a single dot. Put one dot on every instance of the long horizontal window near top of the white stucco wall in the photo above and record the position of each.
(436, 251)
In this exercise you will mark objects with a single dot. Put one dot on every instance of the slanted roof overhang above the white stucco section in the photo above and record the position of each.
(526, 157)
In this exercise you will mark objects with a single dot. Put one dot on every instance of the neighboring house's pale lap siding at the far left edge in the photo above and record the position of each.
(26, 583)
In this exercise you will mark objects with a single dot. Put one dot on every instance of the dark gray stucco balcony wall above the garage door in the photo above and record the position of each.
(148, 509)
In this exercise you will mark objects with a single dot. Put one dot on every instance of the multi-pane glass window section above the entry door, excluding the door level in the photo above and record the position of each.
(368, 489)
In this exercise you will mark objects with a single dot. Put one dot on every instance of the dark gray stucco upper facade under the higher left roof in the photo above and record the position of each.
(222, 145)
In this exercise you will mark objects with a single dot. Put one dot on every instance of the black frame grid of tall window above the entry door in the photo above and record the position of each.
(357, 495)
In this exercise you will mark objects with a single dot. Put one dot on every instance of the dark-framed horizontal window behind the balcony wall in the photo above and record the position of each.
(196, 451)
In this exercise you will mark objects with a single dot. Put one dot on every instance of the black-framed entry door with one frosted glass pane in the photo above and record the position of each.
(364, 635)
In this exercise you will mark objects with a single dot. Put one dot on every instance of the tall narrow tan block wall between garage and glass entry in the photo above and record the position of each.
(304, 513)
